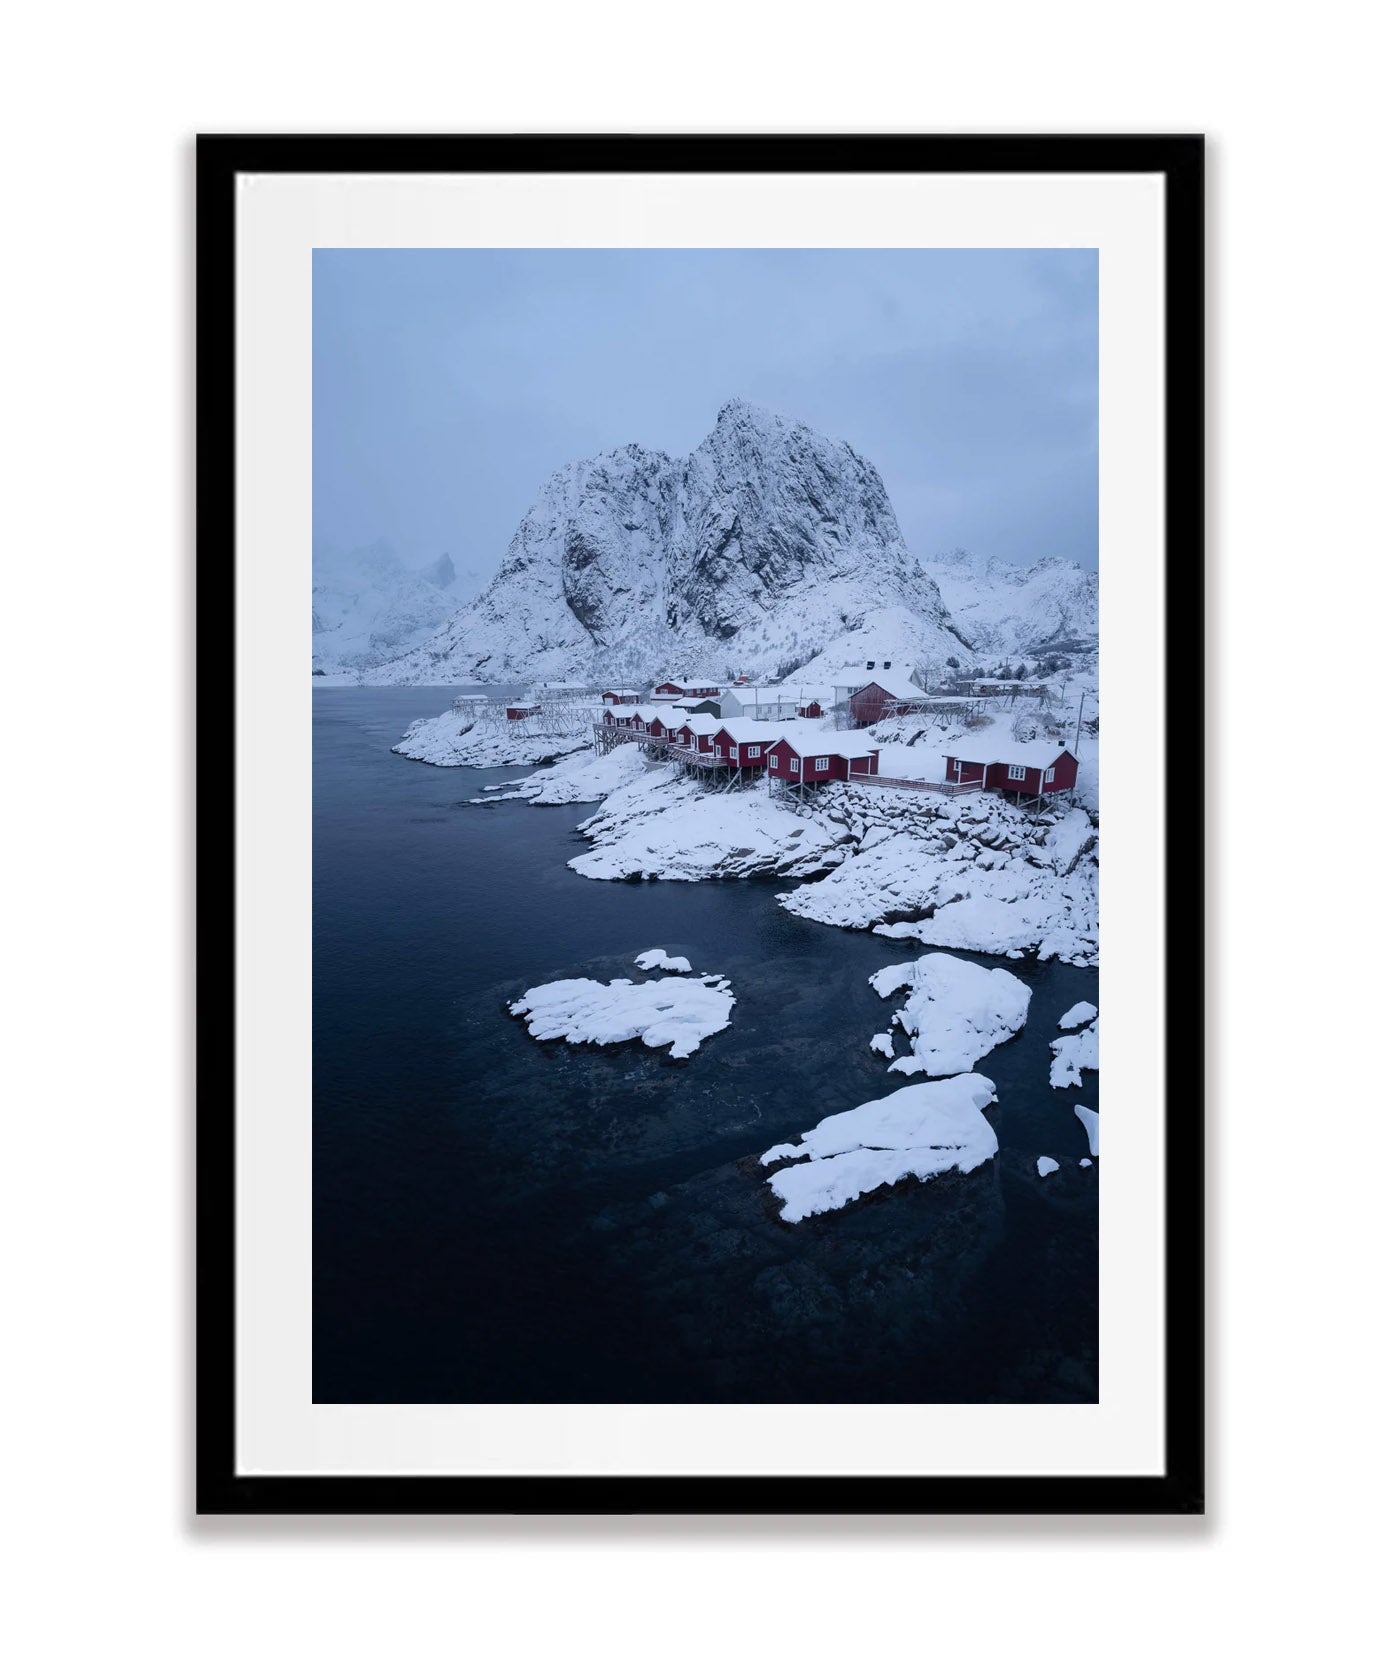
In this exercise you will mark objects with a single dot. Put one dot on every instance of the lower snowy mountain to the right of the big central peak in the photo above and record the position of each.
(1003, 609)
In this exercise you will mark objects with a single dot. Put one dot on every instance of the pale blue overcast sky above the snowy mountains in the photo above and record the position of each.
(451, 384)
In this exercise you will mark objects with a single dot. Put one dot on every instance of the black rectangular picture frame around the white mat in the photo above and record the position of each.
(219, 1489)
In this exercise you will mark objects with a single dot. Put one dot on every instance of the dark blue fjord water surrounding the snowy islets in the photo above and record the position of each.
(500, 1221)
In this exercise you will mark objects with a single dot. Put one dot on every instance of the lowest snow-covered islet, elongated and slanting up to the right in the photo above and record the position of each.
(917, 1133)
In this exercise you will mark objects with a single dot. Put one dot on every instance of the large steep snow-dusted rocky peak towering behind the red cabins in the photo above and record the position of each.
(767, 547)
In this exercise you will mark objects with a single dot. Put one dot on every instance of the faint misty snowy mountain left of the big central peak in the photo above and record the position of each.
(367, 607)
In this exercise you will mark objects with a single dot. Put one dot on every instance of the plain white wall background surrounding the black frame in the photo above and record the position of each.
(108, 1568)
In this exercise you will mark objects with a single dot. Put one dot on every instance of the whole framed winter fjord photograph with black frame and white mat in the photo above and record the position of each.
(651, 1042)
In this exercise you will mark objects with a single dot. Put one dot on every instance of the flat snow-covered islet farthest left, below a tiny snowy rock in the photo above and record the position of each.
(660, 1012)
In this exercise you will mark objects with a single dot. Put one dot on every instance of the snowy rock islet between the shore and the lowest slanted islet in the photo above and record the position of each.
(955, 1014)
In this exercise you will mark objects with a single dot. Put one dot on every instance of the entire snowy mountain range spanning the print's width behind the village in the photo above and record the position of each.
(769, 550)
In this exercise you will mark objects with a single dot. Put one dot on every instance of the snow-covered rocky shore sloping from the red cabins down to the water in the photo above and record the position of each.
(969, 874)
